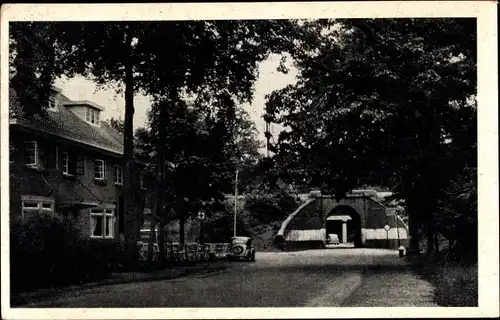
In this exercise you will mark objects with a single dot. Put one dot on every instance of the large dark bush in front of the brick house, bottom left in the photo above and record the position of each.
(46, 250)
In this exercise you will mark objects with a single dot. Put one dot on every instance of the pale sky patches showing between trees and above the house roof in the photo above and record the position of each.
(80, 88)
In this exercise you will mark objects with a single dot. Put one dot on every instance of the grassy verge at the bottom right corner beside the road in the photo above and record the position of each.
(456, 284)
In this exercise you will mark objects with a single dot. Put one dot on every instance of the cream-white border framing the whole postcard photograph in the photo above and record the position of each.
(485, 11)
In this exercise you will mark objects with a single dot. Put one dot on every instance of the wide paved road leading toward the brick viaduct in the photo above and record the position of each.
(314, 278)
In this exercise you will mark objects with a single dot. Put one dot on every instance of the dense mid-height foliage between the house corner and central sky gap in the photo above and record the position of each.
(200, 154)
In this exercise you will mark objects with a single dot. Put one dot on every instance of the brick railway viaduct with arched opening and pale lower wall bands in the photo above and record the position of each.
(359, 218)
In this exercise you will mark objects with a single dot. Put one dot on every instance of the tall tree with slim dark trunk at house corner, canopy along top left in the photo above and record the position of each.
(215, 62)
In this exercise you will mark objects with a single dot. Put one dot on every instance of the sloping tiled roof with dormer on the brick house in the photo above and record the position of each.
(66, 124)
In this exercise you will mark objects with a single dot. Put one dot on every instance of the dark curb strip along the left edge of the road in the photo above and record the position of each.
(18, 300)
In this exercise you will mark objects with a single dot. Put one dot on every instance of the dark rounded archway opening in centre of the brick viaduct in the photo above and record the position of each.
(353, 224)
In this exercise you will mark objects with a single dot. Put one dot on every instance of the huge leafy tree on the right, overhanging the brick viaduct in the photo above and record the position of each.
(380, 101)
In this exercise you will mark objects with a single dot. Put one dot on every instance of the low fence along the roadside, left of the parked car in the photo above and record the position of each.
(190, 252)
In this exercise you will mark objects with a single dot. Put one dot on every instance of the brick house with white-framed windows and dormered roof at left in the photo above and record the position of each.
(70, 162)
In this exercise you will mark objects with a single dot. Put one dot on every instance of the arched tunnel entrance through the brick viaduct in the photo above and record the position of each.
(345, 222)
